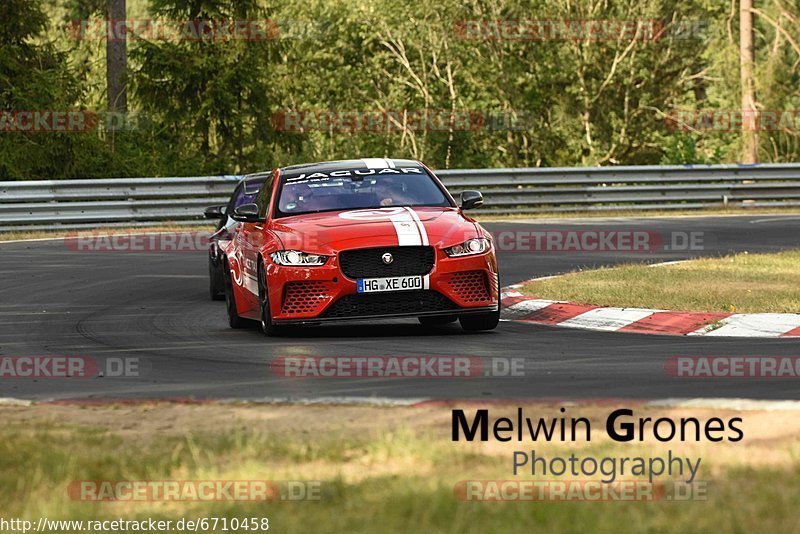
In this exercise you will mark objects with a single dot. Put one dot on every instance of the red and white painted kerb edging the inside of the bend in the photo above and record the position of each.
(518, 307)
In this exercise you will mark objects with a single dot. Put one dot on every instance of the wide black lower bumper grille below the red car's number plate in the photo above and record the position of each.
(395, 303)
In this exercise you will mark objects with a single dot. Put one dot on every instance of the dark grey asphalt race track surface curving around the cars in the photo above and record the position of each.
(154, 307)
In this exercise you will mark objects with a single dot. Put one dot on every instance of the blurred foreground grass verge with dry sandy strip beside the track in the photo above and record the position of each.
(381, 469)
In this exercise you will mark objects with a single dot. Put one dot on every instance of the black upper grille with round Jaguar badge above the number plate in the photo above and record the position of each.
(367, 262)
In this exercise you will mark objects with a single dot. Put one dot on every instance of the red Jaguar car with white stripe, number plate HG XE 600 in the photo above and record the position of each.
(359, 239)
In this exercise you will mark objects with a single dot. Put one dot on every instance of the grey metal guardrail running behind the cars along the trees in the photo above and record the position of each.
(76, 204)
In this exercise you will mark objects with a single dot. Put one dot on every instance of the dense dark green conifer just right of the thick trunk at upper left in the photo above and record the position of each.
(211, 92)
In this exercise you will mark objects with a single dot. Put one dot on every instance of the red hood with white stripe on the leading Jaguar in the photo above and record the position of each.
(333, 231)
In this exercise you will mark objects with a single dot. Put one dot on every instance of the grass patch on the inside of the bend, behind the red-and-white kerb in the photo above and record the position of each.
(746, 283)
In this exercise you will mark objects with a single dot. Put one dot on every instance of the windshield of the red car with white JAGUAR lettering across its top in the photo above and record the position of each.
(357, 189)
